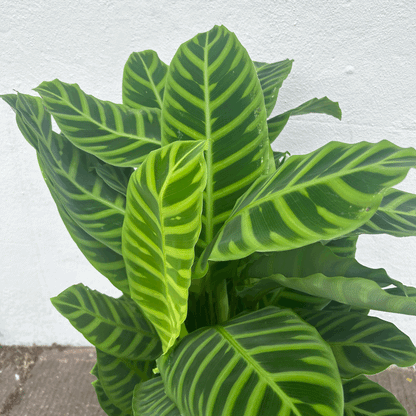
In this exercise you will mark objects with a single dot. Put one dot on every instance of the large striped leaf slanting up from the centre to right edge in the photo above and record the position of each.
(319, 196)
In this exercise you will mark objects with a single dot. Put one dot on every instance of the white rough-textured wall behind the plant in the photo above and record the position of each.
(361, 54)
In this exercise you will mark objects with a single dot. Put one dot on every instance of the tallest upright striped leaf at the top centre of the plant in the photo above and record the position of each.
(213, 94)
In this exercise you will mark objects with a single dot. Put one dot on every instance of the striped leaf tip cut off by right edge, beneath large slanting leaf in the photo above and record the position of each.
(395, 216)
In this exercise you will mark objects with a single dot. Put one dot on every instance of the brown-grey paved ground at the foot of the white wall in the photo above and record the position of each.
(55, 381)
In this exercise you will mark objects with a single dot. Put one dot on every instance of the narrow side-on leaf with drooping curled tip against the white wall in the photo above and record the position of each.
(316, 105)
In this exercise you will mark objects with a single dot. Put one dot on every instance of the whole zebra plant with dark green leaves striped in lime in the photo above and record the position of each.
(241, 295)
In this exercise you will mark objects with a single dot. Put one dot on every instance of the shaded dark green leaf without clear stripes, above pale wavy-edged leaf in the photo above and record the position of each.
(316, 258)
